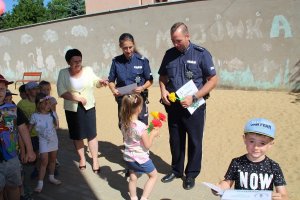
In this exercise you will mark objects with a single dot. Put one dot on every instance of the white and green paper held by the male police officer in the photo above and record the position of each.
(189, 89)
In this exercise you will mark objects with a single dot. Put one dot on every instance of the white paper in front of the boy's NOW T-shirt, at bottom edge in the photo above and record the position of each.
(247, 195)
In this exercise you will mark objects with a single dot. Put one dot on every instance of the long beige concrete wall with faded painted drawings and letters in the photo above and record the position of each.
(255, 44)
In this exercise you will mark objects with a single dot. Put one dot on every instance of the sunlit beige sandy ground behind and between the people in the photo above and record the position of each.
(227, 112)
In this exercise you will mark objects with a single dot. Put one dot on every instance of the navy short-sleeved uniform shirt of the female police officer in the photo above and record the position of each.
(126, 72)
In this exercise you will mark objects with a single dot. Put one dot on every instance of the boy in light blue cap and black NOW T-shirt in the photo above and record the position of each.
(254, 170)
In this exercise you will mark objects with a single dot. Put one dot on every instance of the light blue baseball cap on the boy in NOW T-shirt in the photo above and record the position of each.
(260, 126)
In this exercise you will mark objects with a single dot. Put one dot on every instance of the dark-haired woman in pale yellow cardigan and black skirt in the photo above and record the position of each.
(75, 85)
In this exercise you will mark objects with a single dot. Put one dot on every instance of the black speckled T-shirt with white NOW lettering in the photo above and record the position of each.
(249, 175)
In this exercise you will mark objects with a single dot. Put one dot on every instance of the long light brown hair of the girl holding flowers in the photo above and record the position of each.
(130, 104)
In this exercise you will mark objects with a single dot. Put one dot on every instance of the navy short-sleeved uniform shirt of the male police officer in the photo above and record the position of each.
(195, 63)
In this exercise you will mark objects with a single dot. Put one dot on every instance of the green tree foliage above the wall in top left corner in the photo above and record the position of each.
(27, 12)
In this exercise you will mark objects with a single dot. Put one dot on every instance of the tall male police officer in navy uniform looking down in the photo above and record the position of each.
(182, 63)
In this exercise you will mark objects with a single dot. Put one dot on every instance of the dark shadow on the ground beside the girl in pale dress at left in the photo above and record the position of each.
(74, 186)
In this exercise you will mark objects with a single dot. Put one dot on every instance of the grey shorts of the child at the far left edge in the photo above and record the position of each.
(10, 173)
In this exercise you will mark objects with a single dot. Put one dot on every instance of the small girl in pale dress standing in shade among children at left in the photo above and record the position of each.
(45, 122)
